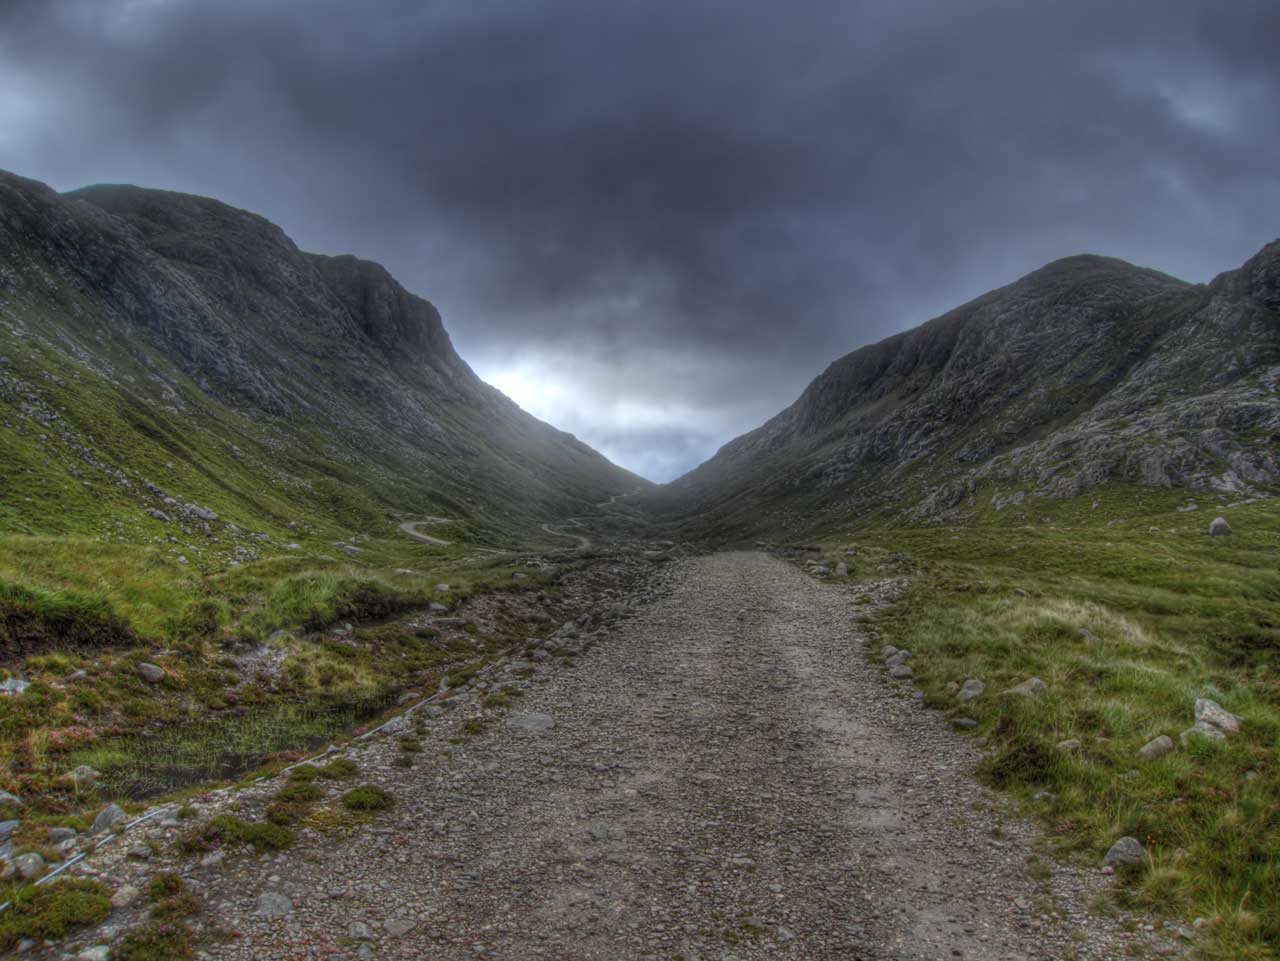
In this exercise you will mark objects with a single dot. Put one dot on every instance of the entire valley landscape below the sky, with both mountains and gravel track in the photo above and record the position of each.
(394, 669)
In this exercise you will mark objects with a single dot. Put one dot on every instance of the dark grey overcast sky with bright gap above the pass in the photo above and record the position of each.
(653, 223)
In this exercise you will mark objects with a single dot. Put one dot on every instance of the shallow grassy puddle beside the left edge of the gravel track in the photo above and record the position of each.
(141, 767)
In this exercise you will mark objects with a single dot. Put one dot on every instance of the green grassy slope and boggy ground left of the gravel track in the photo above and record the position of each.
(92, 582)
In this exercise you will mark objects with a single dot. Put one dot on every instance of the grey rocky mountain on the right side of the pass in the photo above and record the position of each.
(1085, 373)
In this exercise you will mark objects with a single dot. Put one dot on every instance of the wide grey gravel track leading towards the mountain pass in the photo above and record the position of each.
(723, 776)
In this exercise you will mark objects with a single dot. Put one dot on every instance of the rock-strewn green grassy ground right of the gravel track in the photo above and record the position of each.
(1174, 616)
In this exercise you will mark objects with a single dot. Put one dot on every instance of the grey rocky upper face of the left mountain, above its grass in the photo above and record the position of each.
(184, 303)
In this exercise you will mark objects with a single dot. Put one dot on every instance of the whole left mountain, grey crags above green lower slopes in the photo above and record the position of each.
(167, 358)
